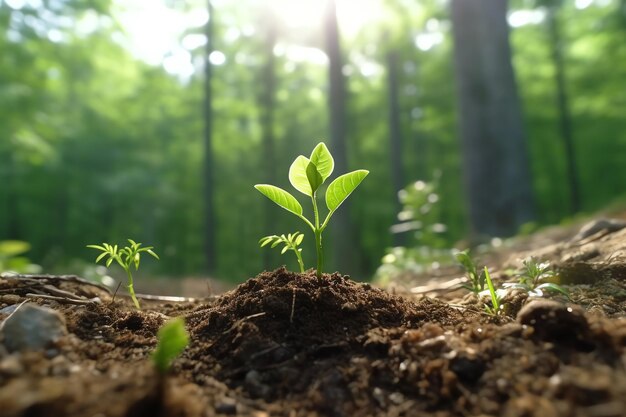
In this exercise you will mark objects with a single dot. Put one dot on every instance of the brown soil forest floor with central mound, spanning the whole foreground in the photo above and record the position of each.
(285, 344)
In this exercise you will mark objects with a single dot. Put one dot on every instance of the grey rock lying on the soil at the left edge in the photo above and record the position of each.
(32, 328)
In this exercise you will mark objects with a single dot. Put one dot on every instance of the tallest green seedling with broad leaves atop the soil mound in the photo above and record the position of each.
(307, 175)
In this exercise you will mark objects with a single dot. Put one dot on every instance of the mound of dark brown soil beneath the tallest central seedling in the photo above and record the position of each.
(279, 334)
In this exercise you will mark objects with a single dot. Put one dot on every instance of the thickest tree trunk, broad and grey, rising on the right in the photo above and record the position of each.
(495, 156)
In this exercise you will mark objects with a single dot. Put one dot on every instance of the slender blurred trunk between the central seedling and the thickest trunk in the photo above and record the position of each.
(395, 135)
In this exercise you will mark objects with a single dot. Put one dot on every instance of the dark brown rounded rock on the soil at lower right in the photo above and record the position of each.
(557, 323)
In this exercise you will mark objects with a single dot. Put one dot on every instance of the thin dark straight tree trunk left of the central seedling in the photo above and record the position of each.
(209, 172)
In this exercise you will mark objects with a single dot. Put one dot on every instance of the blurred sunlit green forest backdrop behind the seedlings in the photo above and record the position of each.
(101, 140)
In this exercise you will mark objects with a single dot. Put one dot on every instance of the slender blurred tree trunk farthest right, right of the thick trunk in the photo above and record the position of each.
(565, 118)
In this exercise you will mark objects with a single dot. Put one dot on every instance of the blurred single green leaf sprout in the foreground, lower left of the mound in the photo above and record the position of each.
(172, 340)
